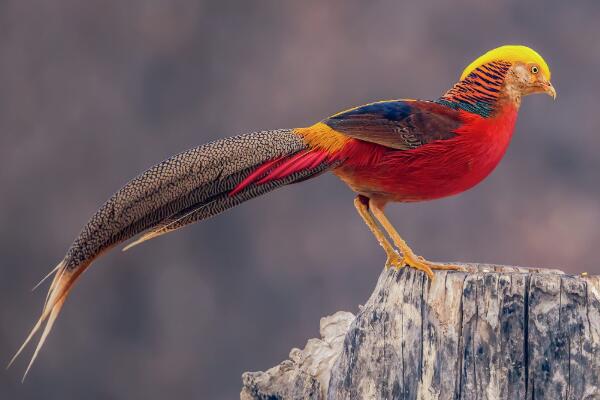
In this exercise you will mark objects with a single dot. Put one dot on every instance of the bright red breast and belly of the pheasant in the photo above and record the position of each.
(435, 170)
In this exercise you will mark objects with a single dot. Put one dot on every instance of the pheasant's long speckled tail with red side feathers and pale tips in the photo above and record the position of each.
(188, 187)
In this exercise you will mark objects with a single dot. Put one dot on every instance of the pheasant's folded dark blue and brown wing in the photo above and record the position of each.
(398, 124)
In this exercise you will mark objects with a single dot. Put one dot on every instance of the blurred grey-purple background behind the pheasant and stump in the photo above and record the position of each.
(94, 92)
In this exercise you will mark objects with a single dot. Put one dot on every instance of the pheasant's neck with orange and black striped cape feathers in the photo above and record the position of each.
(483, 91)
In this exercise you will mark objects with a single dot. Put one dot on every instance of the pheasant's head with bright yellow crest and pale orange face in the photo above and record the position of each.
(527, 73)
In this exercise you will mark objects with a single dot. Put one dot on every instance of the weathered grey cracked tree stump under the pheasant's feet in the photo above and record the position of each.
(493, 333)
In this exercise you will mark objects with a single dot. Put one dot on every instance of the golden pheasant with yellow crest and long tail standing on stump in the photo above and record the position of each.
(402, 150)
